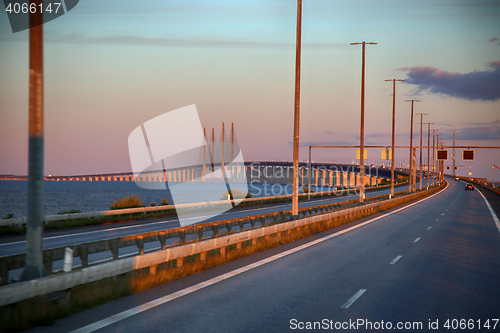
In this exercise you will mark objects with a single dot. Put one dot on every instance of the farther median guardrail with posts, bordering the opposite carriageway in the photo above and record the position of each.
(175, 236)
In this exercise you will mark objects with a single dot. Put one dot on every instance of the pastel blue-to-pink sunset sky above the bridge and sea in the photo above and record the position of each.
(109, 66)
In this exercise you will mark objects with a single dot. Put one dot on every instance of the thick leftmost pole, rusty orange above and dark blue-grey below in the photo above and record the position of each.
(34, 229)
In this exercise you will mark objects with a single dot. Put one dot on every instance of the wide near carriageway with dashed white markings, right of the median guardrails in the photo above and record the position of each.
(430, 263)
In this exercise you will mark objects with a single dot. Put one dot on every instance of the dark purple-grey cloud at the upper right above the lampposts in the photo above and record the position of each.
(477, 85)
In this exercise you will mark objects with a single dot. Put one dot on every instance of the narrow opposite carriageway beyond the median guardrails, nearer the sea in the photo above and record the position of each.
(71, 237)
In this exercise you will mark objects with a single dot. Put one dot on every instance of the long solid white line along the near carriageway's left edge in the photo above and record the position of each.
(146, 306)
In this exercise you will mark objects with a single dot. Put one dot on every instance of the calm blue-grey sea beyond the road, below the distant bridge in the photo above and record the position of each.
(97, 196)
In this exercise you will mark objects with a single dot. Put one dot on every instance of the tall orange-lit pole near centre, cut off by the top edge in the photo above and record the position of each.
(296, 121)
